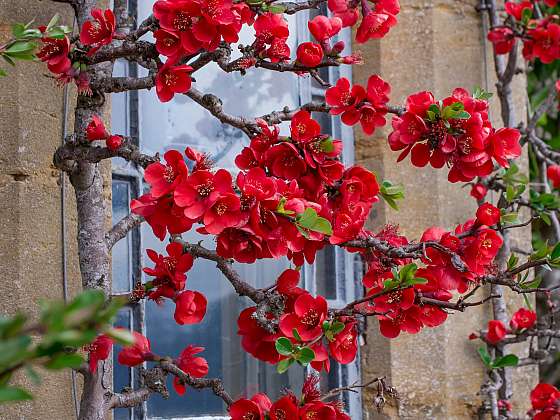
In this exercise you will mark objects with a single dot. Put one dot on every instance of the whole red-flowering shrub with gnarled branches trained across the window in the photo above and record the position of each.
(293, 195)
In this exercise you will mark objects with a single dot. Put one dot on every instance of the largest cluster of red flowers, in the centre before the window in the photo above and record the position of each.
(291, 195)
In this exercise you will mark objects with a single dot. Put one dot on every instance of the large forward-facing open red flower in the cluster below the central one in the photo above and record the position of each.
(307, 317)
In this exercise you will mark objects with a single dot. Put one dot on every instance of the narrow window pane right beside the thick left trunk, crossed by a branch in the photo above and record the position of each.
(122, 273)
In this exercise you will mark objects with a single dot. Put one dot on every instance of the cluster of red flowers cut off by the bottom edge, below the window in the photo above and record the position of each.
(289, 407)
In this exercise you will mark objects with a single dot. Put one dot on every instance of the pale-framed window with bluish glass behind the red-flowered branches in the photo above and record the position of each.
(176, 125)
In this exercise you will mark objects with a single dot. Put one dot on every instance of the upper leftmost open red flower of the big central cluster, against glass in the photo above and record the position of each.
(164, 178)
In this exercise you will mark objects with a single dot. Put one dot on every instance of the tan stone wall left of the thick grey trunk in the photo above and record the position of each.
(31, 114)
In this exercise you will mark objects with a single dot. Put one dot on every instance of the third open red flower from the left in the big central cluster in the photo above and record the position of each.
(224, 213)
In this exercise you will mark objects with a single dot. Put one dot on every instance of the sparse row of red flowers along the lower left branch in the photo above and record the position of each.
(140, 351)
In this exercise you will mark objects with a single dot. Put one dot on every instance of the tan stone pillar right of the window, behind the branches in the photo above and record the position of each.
(437, 46)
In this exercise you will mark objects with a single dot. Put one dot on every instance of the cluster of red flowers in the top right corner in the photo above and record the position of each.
(541, 37)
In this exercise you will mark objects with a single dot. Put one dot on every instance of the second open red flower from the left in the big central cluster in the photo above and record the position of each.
(200, 190)
